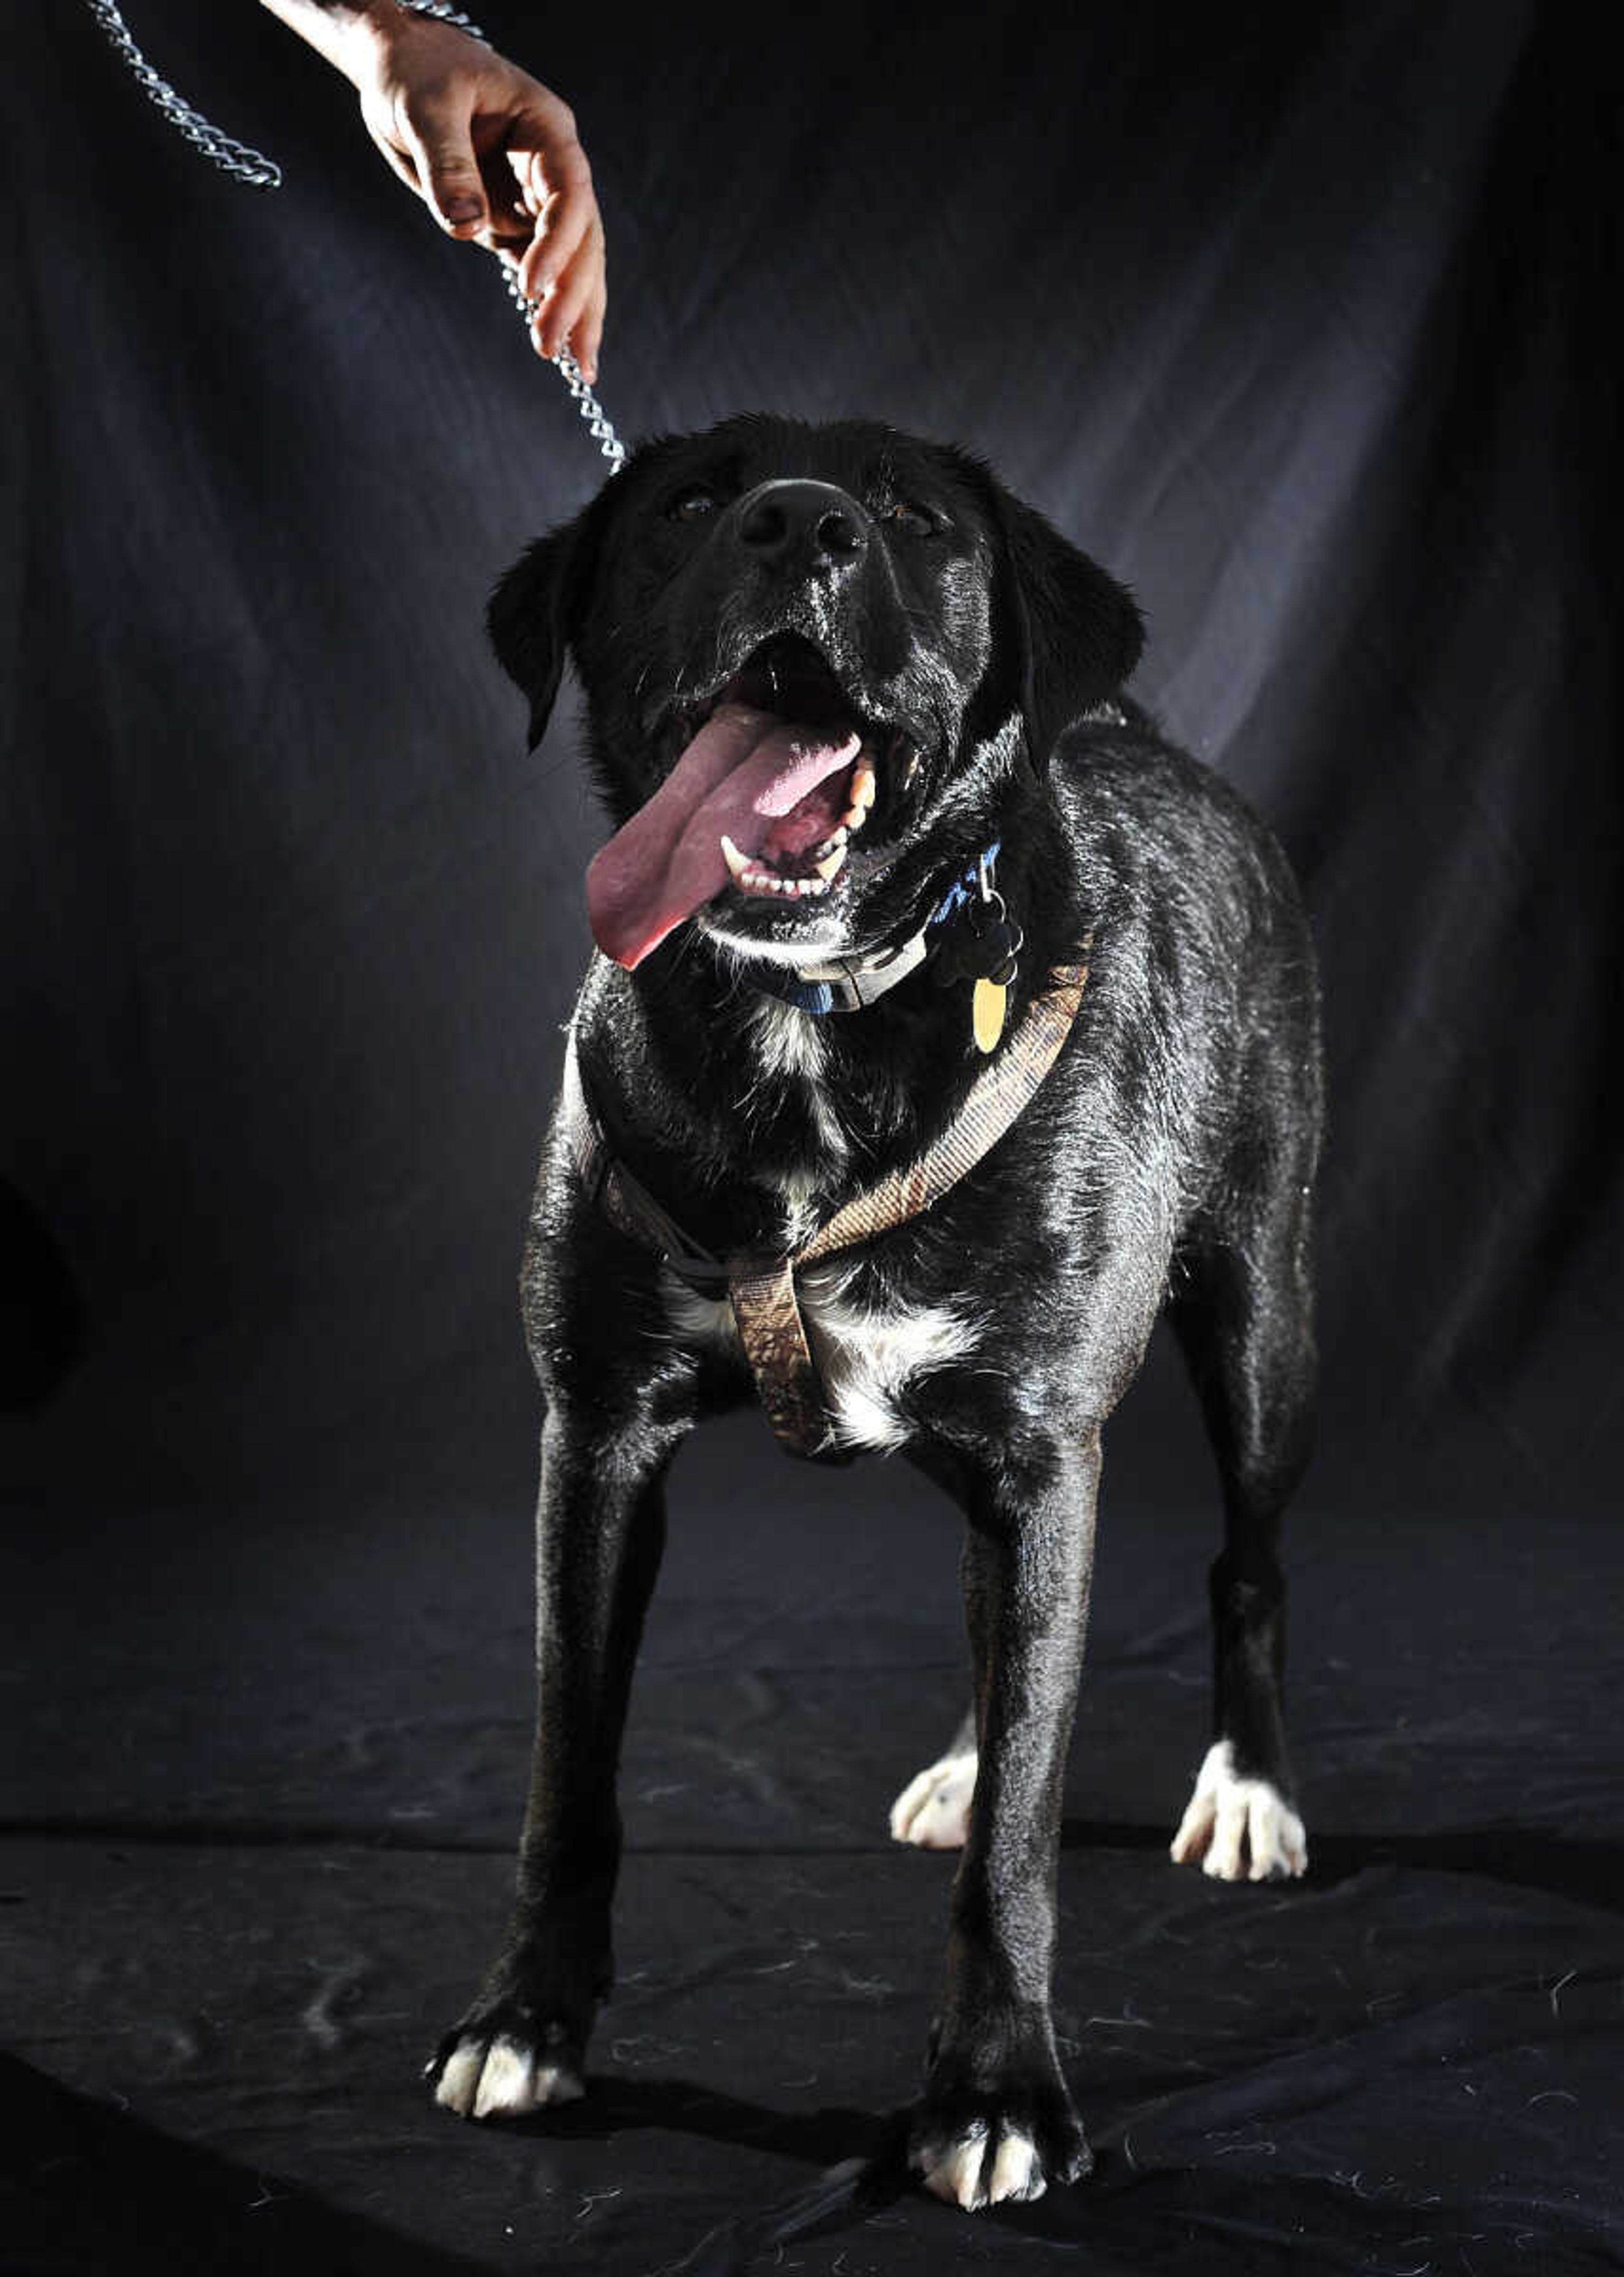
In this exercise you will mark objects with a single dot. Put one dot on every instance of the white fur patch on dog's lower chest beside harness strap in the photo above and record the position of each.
(864, 1356)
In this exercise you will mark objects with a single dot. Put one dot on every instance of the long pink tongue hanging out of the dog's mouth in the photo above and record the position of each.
(737, 775)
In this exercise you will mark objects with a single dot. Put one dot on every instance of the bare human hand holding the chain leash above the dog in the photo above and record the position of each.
(495, 156)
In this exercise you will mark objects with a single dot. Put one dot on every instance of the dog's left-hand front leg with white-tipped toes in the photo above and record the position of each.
(598, 1549)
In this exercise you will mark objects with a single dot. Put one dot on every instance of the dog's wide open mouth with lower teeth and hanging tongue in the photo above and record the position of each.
(766, 796)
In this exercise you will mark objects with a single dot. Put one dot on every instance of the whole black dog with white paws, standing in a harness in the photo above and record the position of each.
(887, 835)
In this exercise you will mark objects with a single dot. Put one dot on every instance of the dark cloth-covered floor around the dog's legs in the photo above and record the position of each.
(263, 1775)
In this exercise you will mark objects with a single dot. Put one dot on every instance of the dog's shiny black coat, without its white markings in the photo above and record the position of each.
(1170, 1158)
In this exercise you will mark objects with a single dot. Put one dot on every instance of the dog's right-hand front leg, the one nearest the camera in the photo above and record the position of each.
(996, 2119)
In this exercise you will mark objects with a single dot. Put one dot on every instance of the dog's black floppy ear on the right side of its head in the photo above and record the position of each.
(1076, 632)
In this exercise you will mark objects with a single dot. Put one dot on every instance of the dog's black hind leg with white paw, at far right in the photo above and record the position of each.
(1245, 1322)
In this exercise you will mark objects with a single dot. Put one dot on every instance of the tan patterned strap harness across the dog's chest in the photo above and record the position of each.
(762, 1290)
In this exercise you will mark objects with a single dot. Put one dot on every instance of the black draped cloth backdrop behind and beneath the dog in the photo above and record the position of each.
(1299, 320)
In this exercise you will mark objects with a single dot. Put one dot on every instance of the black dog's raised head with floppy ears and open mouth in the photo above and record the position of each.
(810, 657)
